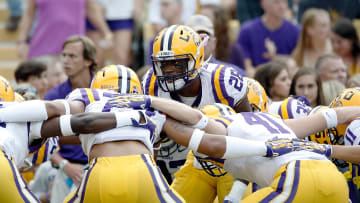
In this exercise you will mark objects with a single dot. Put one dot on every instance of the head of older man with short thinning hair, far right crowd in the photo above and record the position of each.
(331, 67)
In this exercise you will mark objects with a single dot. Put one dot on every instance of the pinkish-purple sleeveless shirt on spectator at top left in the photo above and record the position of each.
(56, 21)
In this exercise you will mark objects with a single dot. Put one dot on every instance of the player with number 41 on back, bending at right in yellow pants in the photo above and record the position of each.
(286, 177)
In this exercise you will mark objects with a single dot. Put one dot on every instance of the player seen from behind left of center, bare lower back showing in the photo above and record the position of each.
(109, 151)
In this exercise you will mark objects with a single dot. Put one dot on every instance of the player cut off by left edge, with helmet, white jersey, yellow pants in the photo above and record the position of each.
(17, 140)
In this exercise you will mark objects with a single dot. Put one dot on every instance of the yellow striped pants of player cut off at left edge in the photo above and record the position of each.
(13, 187)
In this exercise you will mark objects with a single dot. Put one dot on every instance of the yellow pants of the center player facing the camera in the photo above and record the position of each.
(195, 185)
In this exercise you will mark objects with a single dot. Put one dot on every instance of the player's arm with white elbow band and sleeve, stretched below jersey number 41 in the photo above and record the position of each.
(219, 146)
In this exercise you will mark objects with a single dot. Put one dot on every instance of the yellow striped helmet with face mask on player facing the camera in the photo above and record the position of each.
(181, 47)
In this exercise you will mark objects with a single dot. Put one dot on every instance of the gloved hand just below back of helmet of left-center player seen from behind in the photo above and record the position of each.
(133, 101)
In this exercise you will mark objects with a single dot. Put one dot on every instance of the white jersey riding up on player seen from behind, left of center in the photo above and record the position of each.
(97, 100)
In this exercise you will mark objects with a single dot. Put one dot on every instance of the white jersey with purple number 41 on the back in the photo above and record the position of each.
(261, 127)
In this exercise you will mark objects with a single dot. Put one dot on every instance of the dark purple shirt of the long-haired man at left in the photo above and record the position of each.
(73, 153)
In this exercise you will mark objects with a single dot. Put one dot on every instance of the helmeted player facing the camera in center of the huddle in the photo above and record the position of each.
(180, 73)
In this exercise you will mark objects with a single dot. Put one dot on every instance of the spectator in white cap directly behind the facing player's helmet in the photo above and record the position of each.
(202, 25)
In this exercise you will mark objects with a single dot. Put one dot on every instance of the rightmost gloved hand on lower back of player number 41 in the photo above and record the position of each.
(310, 146)
